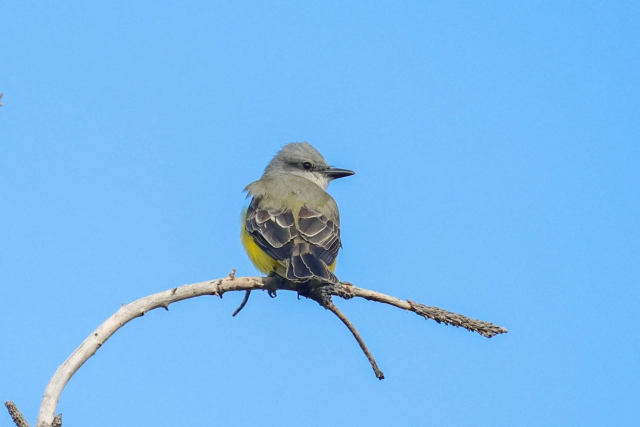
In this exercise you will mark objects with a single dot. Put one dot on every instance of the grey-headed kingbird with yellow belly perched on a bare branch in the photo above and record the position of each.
(291, 228)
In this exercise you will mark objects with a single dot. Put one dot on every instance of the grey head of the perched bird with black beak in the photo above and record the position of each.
(300, 158)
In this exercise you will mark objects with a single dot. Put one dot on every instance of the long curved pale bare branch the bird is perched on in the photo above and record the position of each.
(218, 287)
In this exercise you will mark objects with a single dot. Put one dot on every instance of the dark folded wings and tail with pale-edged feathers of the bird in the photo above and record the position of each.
(307, 249)
